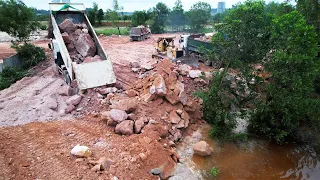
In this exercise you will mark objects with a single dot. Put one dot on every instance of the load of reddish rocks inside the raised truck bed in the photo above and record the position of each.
(78, 41)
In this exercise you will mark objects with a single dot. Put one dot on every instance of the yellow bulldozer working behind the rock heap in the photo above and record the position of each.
(165, 48)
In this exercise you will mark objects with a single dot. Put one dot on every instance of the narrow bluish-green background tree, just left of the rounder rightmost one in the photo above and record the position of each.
(177, 17)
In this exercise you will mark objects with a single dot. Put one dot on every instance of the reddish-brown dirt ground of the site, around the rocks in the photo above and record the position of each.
(35, 141)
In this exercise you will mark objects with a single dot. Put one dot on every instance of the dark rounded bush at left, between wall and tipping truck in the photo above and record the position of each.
(29, 54)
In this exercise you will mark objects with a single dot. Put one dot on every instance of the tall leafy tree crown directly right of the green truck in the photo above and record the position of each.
(247, 30)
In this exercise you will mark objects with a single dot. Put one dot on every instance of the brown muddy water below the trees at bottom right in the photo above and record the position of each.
(255, 159)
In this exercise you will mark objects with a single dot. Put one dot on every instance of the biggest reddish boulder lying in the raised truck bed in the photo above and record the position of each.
(85, 45)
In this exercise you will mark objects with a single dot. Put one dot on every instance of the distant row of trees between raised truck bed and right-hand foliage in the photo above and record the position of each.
(157, 17)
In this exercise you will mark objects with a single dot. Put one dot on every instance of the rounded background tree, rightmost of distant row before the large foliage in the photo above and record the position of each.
(199, 15)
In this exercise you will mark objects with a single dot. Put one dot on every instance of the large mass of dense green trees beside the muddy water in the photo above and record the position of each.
(278, 100)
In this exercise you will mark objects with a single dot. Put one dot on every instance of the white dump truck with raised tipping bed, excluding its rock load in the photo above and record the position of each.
(89, 74)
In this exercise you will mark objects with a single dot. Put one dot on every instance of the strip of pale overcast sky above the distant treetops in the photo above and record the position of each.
(132, 5)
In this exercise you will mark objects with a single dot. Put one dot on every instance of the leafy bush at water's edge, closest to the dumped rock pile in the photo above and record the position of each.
(219, 106)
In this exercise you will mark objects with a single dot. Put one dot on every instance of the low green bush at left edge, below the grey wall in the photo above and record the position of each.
(10, 75)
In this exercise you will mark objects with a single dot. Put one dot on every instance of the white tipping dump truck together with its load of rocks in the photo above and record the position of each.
(78, 53)
